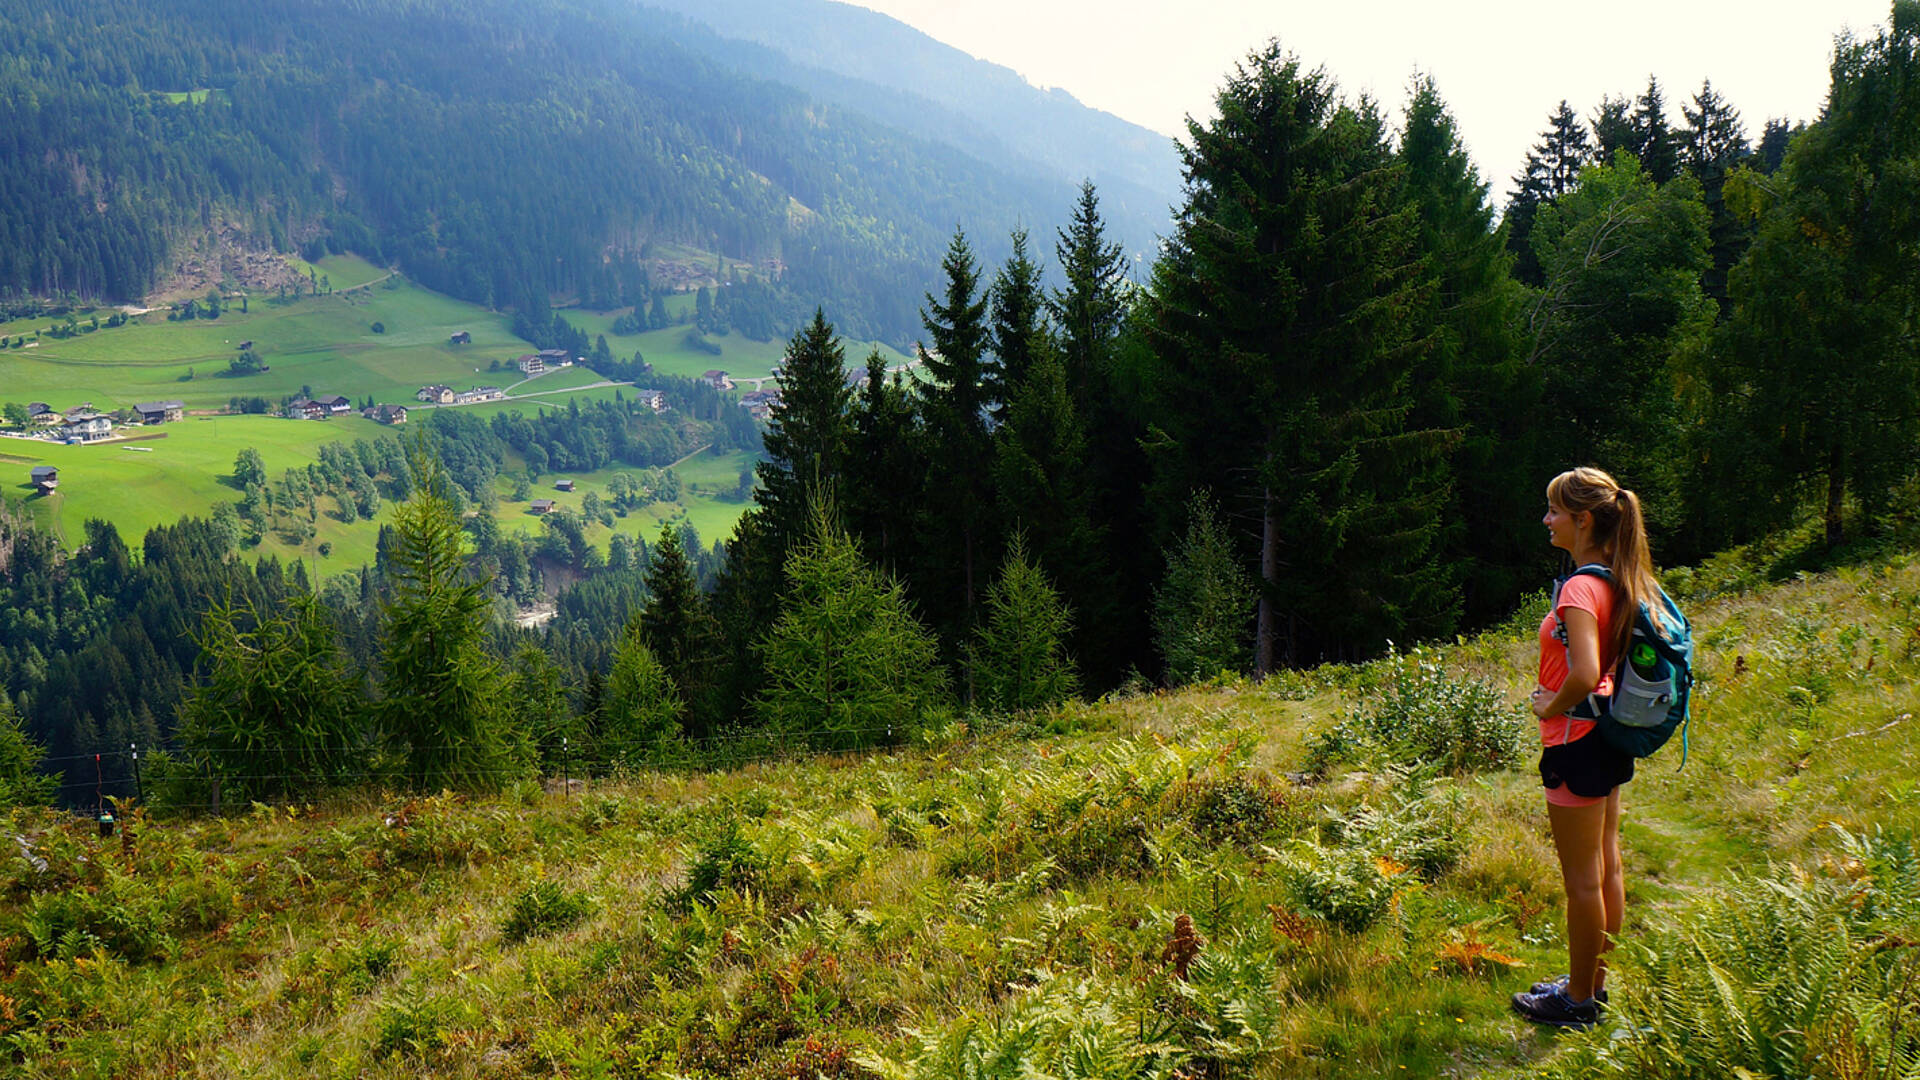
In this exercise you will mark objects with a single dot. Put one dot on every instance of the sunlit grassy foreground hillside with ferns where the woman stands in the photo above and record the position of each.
(1232, 881)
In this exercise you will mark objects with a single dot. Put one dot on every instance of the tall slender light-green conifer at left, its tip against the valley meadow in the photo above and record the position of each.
(441, 689)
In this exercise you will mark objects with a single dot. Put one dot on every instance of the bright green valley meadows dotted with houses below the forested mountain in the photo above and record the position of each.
(324, 345)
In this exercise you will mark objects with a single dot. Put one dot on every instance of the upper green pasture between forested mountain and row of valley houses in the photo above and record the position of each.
(318, 343)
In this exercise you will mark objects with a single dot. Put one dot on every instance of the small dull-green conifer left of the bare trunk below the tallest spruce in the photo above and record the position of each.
(1203, 610)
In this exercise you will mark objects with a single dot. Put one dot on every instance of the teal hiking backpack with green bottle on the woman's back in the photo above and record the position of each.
(1652, 683)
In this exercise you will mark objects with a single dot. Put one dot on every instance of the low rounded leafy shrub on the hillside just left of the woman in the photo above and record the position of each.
(1426, 716)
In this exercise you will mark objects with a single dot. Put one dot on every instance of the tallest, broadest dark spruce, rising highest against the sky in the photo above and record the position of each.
(1293, 278)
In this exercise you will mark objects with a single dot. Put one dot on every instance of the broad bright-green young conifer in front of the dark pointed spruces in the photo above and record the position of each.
(848, 666)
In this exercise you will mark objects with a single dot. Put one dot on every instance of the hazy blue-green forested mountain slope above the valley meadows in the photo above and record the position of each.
(498, 151)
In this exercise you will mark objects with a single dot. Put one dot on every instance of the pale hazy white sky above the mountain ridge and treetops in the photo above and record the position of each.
(1500, 64)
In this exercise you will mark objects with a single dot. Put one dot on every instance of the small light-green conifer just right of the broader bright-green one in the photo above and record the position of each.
(1019, 656)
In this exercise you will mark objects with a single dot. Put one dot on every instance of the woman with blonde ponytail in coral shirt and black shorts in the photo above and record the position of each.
(1581, 641)
